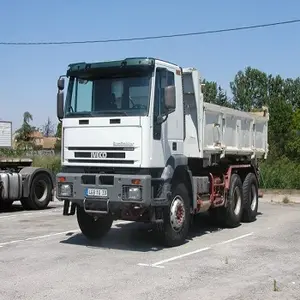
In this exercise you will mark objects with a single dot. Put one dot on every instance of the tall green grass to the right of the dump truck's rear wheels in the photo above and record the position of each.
(280, 174)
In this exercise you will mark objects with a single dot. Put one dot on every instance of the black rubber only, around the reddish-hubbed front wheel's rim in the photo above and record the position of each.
(168, 236)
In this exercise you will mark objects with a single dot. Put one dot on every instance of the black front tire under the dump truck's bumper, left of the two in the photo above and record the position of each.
(91, 228)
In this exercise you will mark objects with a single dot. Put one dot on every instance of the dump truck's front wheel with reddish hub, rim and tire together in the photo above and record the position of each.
(175, 229)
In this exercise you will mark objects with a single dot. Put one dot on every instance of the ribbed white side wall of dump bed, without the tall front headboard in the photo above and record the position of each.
(234, 132)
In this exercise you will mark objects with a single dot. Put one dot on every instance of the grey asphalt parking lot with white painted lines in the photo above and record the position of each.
(44, 256)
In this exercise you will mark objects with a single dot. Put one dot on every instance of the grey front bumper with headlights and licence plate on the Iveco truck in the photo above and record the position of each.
(104, 191)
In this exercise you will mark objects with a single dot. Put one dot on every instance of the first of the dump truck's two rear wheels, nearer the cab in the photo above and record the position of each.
(235, 204)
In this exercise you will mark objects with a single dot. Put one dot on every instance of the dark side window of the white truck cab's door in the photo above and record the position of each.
(163, 78)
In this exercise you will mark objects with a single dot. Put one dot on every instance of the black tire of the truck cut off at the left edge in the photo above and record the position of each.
(43, 182)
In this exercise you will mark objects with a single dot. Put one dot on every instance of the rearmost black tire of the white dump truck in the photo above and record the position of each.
(249, 213)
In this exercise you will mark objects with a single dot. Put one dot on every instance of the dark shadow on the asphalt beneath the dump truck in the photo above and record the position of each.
(139, 236)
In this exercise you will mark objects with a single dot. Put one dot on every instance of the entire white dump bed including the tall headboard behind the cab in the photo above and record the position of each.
(211, 129)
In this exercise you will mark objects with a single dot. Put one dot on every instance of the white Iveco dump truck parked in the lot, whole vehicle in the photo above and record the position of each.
(140, 144)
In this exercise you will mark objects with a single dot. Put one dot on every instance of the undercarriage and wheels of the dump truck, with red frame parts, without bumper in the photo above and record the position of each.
(228, 192)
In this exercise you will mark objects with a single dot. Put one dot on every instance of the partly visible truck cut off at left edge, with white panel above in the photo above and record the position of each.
(19, 181)
